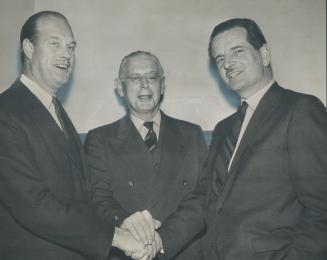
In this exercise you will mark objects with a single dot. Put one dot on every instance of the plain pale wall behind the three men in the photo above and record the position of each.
(177, 31)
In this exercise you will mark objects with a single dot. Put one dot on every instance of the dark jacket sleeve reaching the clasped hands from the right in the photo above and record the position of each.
(188, 220)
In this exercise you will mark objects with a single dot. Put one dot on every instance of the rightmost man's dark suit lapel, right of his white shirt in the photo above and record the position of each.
(253, 132)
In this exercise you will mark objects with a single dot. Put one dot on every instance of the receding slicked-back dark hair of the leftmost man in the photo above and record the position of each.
(29, 29)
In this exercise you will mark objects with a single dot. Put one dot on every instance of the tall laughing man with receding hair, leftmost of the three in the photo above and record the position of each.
(44, 183)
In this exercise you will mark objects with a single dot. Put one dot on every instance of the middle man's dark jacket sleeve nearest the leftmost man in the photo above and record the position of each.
(103, 197)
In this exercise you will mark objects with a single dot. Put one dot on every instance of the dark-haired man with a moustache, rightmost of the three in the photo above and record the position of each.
(268, 195)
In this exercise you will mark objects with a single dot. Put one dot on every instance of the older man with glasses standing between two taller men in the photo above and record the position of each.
(146, 165)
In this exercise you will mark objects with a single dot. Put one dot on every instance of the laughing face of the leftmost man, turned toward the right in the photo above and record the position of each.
(52, 54)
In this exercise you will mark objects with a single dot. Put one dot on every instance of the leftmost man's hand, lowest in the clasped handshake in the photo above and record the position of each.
(125, 241)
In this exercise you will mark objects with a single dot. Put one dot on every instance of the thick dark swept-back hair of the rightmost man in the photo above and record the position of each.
(254, 35)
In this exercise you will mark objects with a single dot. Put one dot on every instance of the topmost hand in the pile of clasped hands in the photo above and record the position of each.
(142, 226)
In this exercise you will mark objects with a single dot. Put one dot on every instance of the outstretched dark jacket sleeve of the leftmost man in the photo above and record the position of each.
(26, 195)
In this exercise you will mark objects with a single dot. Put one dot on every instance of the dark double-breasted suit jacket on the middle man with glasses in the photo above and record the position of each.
(124, 182)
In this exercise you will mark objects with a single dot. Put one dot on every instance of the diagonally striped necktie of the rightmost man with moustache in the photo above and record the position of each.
(230, 142)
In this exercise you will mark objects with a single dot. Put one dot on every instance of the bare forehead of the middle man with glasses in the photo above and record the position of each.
(141, 64)
